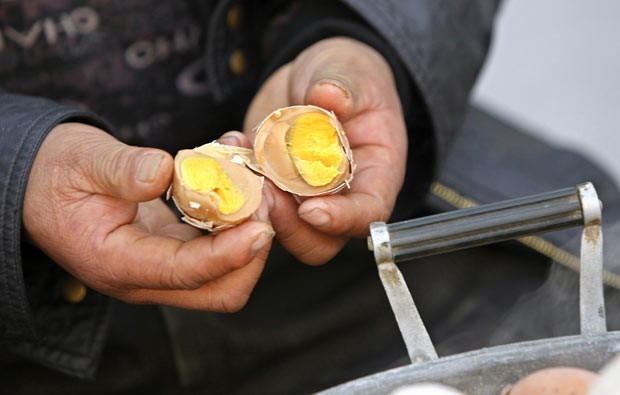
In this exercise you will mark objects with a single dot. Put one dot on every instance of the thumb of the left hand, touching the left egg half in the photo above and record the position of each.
(113, 168)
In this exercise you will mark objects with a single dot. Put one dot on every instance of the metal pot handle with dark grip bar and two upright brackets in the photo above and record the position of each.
(487, 224)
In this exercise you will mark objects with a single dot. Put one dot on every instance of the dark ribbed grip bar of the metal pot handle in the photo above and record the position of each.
(483, 224)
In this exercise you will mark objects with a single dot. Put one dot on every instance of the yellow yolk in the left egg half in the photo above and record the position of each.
(205, 175)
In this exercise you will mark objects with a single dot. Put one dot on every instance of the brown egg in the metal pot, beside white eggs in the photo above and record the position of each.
(555, 381)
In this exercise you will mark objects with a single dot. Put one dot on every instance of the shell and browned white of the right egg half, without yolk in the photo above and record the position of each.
(272, 158)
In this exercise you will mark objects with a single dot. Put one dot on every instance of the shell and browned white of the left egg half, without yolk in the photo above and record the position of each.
(201, 209)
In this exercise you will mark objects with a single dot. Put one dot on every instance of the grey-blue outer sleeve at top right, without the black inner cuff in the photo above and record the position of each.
(442, 44)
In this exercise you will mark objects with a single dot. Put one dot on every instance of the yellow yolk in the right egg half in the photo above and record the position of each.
(315, 148)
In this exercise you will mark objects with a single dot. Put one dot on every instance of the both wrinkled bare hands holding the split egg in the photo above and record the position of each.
(93, 203)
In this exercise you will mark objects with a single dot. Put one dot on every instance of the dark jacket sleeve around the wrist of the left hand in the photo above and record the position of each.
(35, 320)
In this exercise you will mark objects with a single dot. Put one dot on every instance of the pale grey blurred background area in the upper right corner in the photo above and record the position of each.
(554, 70)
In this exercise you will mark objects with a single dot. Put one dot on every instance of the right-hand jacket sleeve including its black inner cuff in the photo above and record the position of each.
(436, 49)
